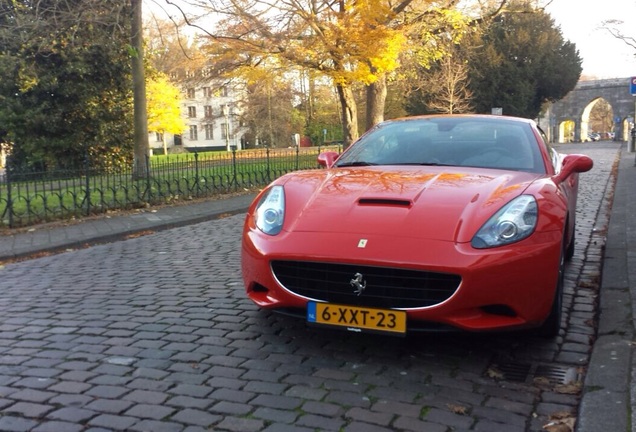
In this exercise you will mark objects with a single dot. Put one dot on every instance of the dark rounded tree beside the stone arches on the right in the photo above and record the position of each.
(522, 62)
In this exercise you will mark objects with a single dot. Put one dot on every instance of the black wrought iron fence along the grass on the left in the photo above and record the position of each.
(27, 198)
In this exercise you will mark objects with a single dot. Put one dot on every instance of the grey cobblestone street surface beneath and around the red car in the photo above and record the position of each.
(155, 334)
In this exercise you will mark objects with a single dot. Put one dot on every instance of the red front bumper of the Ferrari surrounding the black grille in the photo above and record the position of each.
(505, 288)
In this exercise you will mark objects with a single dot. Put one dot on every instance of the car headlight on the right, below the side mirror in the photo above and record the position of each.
(515, 221)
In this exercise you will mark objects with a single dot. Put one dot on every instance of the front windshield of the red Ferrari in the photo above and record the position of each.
(483, 142)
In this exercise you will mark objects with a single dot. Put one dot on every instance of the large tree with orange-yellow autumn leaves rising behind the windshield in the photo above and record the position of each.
(351, 42)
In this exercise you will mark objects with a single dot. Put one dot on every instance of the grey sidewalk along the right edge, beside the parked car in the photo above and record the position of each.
(609, 392)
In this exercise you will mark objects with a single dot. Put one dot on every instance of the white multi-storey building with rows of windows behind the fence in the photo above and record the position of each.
(212, 113)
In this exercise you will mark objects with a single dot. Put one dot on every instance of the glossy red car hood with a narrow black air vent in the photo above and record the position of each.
(419, 202)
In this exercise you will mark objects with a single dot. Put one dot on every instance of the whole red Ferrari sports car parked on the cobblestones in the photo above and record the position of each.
(425, 223)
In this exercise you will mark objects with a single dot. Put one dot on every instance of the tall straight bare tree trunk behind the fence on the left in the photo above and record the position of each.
(141, 144)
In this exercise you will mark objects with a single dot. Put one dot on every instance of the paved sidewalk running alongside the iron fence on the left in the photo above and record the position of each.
(108, 228)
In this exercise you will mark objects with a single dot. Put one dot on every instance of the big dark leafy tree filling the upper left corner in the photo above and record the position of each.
(66, 81)
